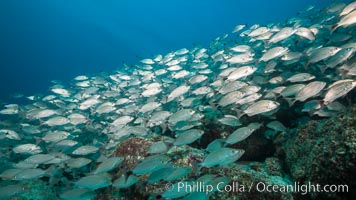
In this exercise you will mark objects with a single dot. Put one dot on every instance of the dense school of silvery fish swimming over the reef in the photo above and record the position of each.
(246, 80)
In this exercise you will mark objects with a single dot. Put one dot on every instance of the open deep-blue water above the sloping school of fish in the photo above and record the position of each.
(46, 40)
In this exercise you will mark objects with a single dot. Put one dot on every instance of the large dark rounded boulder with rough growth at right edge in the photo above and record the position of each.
(323, 152)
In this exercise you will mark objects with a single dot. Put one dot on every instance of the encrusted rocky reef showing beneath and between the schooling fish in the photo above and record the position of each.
(322, 151)
